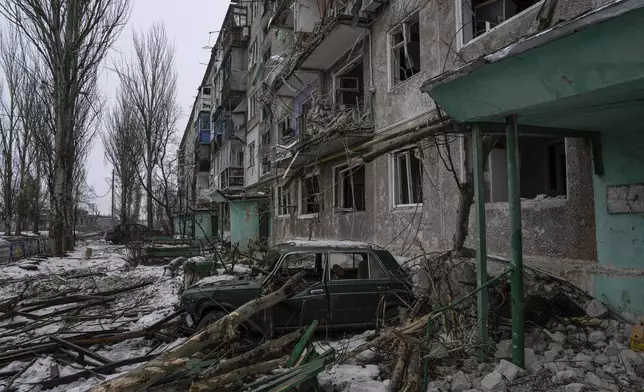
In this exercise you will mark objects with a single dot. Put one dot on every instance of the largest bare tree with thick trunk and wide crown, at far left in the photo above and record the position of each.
(72, 38)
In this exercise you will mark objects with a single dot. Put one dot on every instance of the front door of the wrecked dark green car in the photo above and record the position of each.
(310, 302)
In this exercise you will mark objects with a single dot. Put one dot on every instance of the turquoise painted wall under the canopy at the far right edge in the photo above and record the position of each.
(620, 237)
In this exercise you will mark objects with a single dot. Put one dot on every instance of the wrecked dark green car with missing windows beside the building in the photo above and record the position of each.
(344, 287)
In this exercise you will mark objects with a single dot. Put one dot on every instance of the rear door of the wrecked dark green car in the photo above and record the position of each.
(358, 287)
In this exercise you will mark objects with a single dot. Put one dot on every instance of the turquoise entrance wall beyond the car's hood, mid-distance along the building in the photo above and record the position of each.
(245, 219)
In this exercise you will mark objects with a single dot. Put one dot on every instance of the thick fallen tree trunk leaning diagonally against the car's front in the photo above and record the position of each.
(222, 329)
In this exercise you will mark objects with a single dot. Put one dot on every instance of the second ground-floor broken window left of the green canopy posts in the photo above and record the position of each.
(349, 188)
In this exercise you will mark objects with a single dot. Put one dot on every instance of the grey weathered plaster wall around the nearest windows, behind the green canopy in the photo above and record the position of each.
(552, 228)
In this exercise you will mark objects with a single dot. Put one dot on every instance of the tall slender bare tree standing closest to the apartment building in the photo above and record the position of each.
(149, 85)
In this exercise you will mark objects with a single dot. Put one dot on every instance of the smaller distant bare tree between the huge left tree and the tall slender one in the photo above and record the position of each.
(122, 147)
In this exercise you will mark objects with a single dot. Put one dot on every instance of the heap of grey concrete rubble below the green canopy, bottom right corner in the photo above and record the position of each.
(590, 352)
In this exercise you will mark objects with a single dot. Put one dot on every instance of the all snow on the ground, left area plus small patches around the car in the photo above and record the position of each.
(132, 311)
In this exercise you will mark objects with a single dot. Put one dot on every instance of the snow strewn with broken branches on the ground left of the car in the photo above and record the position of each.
(132, 310)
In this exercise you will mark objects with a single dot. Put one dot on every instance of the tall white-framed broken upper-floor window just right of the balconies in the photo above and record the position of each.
(404, 42)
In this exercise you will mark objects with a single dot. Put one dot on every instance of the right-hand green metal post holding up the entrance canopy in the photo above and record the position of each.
(516, 241)
